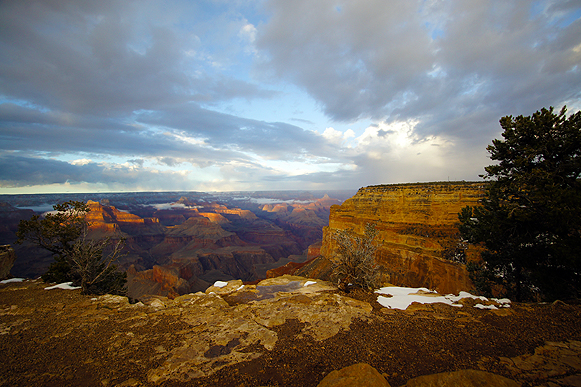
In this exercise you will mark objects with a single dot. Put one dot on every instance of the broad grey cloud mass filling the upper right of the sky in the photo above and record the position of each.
(427, 60)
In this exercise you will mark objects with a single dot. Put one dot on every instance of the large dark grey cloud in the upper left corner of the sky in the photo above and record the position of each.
(105, 58)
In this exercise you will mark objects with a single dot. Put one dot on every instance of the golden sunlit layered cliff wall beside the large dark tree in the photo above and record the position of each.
(417, 233)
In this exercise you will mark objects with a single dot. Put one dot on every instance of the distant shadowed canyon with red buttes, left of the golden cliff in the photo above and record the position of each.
(173, 248)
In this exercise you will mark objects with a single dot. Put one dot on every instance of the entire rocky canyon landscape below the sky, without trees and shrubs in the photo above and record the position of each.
(235, 290)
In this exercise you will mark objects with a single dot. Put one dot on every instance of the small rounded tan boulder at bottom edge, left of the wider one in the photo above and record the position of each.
(356, 375)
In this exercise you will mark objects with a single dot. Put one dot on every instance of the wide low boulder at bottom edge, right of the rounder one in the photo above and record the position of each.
(463, 378)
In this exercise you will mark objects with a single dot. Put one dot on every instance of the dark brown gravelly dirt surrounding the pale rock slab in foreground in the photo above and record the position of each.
(40, 346)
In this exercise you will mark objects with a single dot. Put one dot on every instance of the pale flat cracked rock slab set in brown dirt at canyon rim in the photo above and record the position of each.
(222, 335)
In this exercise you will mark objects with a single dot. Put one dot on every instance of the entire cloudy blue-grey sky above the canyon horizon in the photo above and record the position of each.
(220, 95)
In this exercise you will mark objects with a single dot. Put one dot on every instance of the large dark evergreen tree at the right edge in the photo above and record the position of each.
(530, 218)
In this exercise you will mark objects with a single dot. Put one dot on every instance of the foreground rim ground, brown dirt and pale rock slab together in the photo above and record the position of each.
(279, 333)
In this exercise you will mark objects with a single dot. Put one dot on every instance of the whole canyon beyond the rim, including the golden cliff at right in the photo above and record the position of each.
(184, 246)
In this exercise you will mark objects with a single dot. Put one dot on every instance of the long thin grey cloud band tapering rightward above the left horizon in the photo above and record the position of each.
(47, 133)
